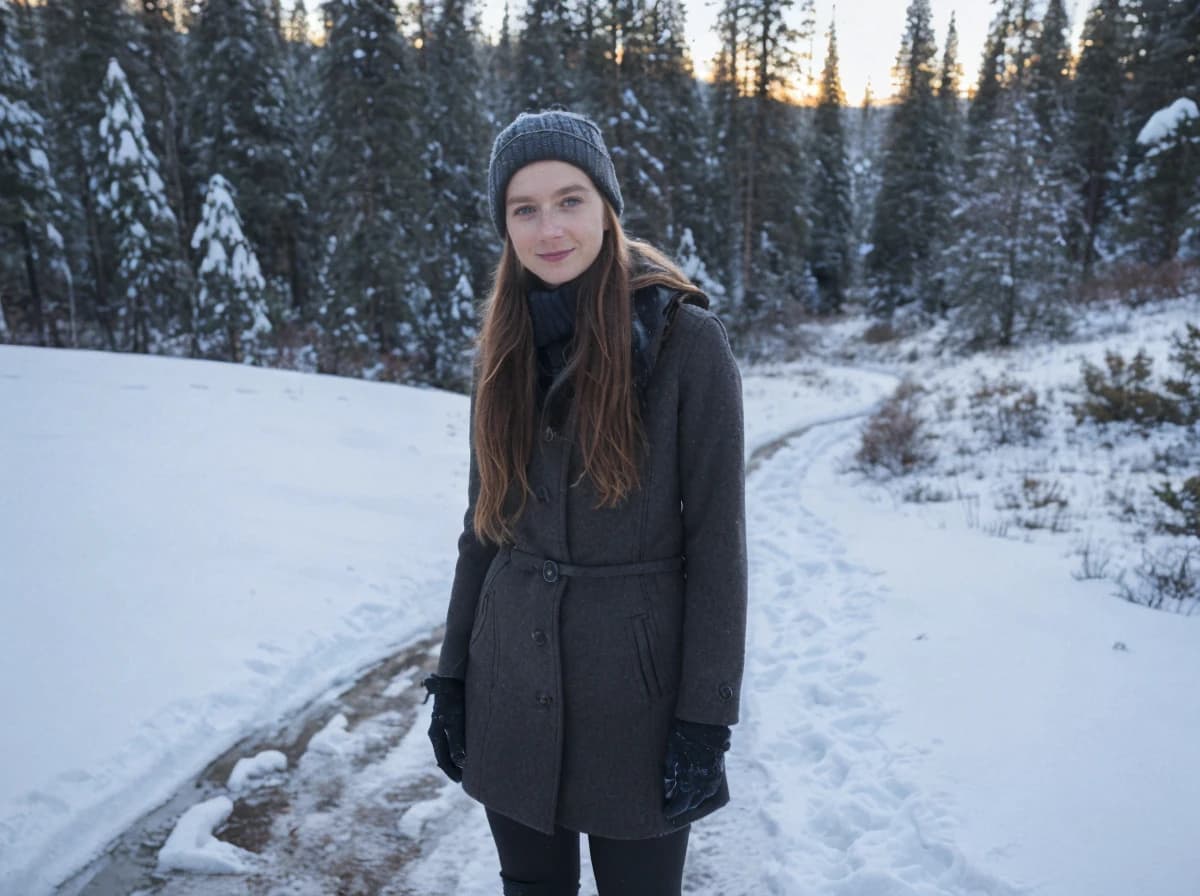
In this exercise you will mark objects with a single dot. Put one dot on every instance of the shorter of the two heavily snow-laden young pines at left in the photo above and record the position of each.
(231, 320)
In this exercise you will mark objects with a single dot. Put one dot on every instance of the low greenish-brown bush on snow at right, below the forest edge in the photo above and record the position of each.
(1121, 392)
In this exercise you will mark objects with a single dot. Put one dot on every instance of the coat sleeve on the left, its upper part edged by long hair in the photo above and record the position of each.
(475, 558)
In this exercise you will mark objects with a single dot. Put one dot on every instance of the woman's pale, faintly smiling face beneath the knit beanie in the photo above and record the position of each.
(555, 218)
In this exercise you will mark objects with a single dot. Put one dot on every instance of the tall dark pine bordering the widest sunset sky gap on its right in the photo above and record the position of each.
(913, 194)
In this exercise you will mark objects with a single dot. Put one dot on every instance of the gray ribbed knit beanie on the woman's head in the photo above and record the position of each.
(539, 137)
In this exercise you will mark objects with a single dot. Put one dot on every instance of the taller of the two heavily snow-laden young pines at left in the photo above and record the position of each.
(148, 284)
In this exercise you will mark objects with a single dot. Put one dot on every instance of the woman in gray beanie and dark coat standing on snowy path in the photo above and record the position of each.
(595, 640)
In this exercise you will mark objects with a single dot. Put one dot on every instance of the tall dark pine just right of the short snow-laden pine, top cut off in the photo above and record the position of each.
(376, 201)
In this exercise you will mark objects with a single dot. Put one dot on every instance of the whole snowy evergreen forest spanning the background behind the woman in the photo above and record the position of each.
(304, 185)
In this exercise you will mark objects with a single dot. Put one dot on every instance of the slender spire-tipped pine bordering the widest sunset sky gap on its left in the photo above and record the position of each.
(832, 218)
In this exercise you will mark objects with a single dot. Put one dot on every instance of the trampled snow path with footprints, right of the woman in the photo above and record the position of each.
(821, 804)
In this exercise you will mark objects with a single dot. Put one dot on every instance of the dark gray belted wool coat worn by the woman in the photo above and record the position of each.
(572, 678)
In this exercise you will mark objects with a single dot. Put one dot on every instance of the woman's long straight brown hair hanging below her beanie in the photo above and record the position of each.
(609, 426)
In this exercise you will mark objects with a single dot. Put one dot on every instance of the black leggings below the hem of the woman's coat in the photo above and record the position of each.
(536, 864)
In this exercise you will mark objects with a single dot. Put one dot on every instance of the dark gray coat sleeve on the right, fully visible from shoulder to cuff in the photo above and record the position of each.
(712, 479)
